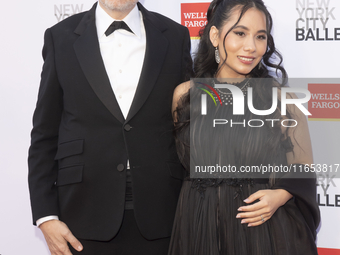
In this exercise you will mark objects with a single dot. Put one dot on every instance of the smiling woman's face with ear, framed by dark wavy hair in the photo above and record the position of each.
(245, 44)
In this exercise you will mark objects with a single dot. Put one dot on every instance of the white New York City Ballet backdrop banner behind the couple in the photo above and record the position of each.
(306, 32)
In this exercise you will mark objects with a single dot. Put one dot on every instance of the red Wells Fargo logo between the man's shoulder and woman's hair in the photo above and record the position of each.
(194, 17)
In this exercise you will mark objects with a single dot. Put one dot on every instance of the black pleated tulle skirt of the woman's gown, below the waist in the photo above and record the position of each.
(206, 224)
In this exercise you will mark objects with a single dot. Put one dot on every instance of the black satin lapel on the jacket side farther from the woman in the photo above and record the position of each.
(88, 53)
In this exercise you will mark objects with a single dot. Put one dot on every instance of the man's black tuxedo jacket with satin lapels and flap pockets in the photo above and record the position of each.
(81, 142)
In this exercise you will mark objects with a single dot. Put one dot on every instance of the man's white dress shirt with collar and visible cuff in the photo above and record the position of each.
(123, 55)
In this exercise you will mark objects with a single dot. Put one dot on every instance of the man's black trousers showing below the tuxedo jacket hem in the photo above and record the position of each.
(128, 241)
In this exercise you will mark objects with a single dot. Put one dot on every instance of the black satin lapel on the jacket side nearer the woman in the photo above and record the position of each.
(156, 49)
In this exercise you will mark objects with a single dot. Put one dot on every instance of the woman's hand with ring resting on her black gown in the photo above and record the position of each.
(270, 200)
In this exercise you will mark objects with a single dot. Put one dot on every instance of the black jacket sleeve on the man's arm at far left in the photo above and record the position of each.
(43, 170)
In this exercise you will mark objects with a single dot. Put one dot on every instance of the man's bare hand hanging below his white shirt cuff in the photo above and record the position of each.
(57, 234)
